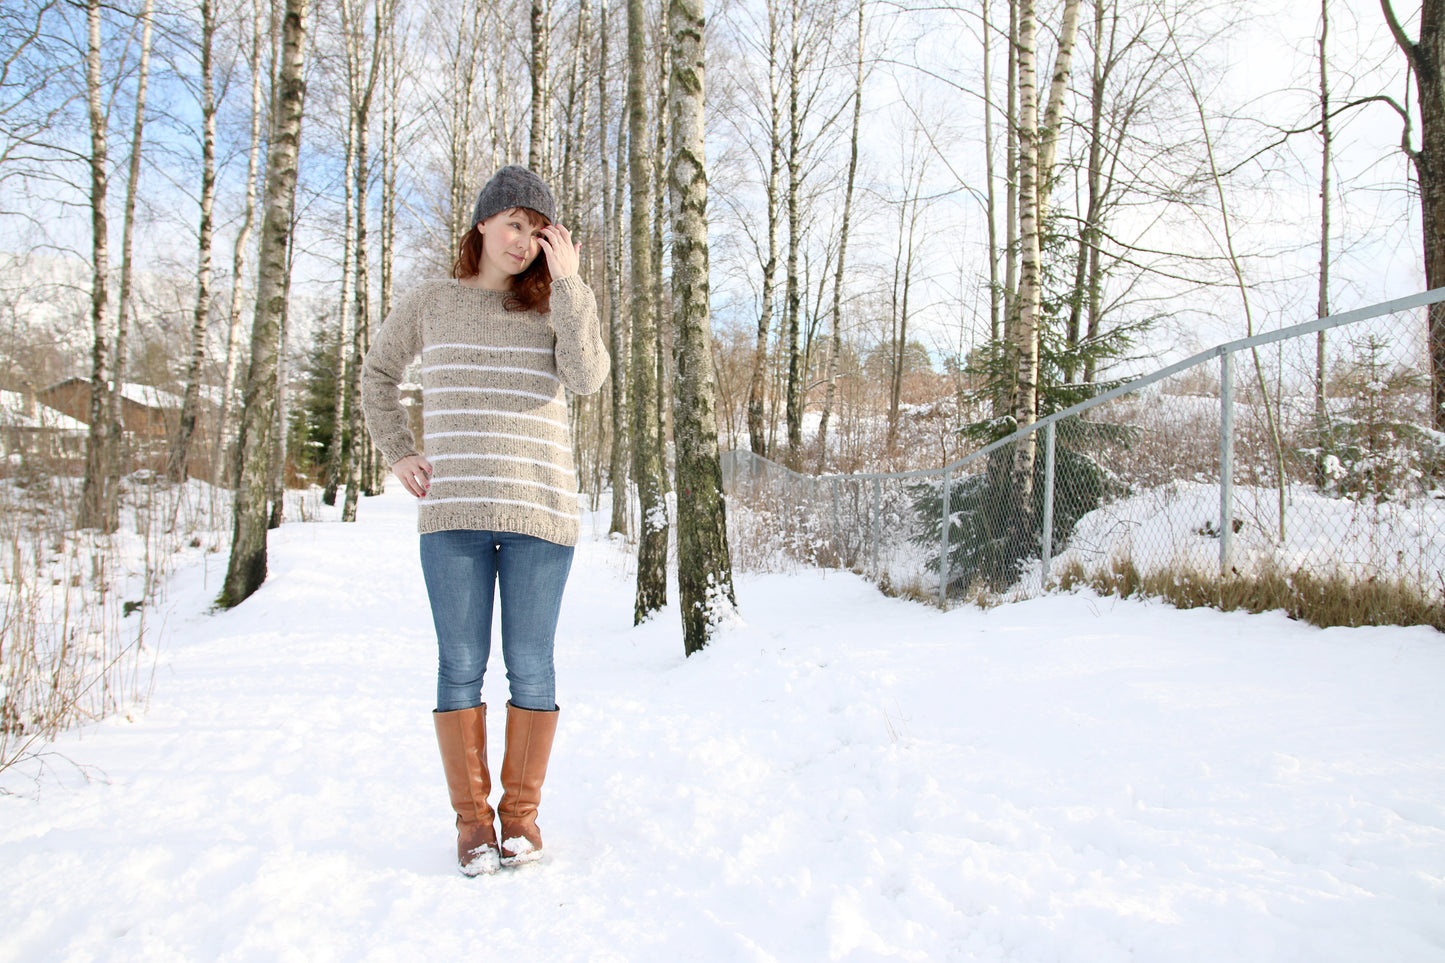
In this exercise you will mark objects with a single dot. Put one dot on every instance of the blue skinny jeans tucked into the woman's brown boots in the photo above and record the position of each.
(463, 570)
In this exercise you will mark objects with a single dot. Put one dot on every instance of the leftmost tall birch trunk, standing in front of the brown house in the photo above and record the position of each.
(98, 502)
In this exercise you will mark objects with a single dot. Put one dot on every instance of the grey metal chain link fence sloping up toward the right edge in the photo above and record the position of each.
(1298, 469)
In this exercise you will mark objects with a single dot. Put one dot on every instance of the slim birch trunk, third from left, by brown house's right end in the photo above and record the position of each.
(191, 404)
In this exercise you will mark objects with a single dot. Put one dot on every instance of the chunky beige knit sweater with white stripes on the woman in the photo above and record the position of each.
(493, 408)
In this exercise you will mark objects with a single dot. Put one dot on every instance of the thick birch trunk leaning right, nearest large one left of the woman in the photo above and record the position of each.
(248, 563)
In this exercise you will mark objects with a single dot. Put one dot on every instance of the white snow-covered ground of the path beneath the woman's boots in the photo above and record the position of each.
(845, 777)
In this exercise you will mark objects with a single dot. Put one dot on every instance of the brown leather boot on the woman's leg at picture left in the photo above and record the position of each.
(463, 740)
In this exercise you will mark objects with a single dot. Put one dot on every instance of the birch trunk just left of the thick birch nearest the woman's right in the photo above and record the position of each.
(652, 537)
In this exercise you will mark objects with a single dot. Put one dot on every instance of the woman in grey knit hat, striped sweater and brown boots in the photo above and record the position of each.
(499, 342)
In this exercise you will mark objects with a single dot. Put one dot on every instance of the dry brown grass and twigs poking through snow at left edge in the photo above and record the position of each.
(77, 635)
